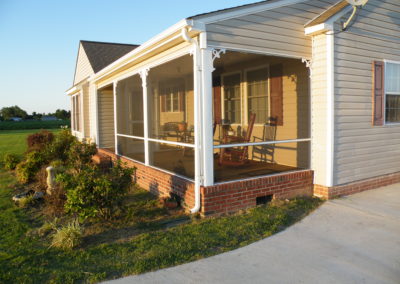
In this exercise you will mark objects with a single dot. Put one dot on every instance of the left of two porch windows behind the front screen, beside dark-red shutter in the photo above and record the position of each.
(232, 100)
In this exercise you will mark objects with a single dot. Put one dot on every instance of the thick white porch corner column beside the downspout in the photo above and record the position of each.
(207, 115)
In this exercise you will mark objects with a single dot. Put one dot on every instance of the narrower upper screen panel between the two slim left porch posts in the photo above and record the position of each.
(130, 107)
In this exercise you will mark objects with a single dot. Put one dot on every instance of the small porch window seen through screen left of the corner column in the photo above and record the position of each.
(172, 99)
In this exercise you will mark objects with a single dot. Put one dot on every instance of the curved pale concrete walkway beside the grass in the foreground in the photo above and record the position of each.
(355, 239)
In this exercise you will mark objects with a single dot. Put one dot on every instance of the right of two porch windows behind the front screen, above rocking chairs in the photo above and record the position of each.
(257, 94)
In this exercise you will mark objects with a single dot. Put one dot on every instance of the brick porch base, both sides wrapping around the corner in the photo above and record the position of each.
(222, 198)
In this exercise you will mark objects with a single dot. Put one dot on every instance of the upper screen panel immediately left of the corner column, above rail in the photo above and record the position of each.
(171, 101)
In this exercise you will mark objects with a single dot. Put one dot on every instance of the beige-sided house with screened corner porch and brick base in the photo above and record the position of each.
(274, 99)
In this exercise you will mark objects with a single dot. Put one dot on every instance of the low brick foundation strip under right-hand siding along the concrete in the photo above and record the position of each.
(355, 187)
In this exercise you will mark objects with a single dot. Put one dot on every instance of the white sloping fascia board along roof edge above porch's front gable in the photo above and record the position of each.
(242, 11)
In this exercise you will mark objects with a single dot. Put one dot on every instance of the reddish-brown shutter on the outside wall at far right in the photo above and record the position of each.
(378, 92)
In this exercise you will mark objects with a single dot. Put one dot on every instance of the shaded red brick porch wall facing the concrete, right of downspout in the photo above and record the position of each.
(233, 196)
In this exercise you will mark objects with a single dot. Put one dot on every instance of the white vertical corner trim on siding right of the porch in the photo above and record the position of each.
(330, 100)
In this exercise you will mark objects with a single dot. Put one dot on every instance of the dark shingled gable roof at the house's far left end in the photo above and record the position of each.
(101, 54)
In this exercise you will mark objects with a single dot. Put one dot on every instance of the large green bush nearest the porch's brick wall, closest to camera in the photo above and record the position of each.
(93, 193)
